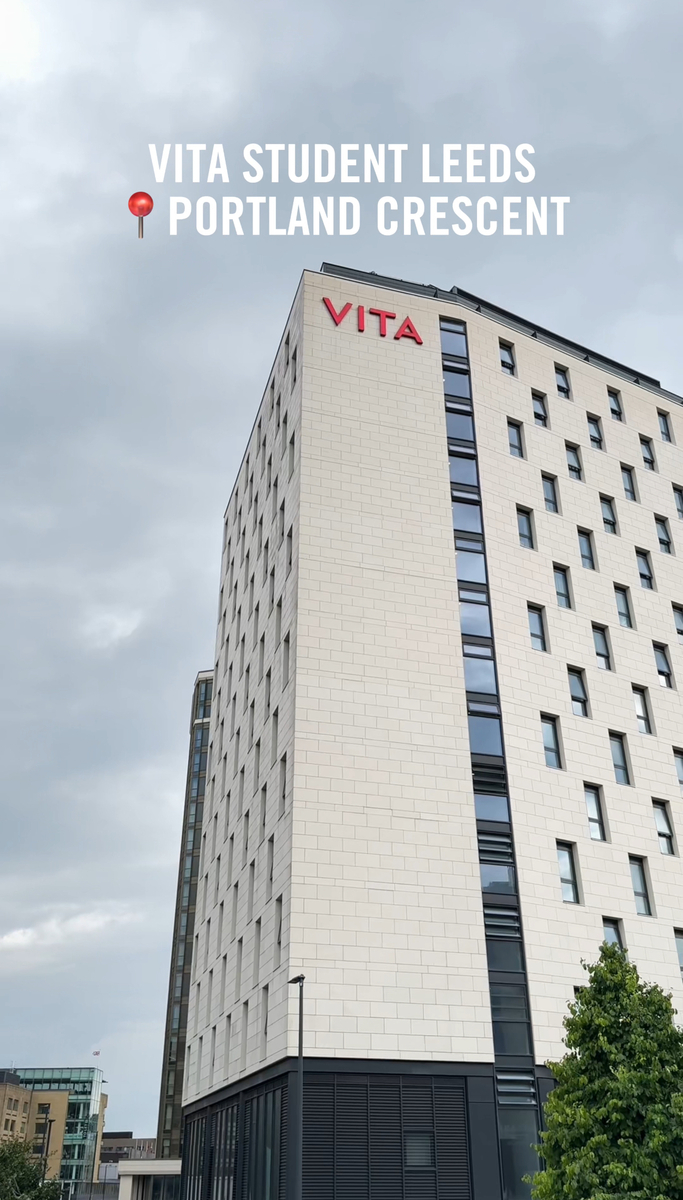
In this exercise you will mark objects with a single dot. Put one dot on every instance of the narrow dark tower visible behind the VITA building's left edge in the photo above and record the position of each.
(171, 1099)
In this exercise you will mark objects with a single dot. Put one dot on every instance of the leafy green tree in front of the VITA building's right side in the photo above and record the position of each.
(615, 1121)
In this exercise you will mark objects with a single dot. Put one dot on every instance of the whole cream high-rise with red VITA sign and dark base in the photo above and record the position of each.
(446, 747)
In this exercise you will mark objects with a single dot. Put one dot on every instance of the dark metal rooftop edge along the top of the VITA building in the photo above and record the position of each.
(468, 301)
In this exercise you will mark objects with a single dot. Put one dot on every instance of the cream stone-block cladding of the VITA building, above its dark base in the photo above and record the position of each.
(368, 844)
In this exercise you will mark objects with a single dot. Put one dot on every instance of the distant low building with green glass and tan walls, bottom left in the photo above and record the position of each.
(82, 1130)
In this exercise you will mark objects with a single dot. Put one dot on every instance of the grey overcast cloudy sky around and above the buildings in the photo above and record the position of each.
(130, 375)
